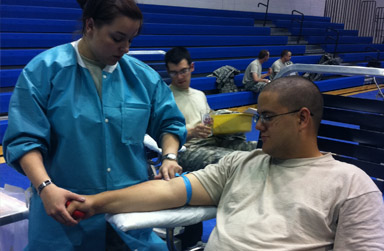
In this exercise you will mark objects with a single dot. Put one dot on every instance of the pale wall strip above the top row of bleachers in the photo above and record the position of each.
(308, 7)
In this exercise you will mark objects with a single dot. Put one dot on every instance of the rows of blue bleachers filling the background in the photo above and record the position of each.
(214, 37)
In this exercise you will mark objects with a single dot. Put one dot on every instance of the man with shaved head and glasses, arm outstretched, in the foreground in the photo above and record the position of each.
(288, 195)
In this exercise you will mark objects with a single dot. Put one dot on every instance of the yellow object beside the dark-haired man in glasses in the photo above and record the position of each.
(232, 123)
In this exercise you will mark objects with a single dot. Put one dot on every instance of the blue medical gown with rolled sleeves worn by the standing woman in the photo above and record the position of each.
(89, 145)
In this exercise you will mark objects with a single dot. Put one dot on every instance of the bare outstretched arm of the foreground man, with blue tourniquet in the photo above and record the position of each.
(147, 196)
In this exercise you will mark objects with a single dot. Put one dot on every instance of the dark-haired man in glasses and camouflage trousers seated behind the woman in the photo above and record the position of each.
(201, 148)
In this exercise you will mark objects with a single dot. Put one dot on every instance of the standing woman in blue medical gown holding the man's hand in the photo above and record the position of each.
(77, 121)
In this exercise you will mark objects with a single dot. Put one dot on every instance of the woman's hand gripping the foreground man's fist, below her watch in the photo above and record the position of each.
(54, 199)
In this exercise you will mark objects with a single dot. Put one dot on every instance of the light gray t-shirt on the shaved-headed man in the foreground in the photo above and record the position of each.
(297, 204)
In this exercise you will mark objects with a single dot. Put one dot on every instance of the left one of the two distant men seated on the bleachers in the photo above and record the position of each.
(253, 80)
